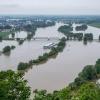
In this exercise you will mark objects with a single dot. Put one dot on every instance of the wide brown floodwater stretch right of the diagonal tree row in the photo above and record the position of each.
(59, 72)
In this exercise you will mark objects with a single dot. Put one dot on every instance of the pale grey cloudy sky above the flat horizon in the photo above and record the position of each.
(54, 7)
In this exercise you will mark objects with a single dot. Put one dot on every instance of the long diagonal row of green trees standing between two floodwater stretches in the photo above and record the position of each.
(44, 57)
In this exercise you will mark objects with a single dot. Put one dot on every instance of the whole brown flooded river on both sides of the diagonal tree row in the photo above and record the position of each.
(59, 71)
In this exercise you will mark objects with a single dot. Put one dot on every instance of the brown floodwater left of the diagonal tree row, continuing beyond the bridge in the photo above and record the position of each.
(29, 50)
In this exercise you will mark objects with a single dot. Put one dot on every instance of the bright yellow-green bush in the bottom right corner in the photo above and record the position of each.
(88, 91)
